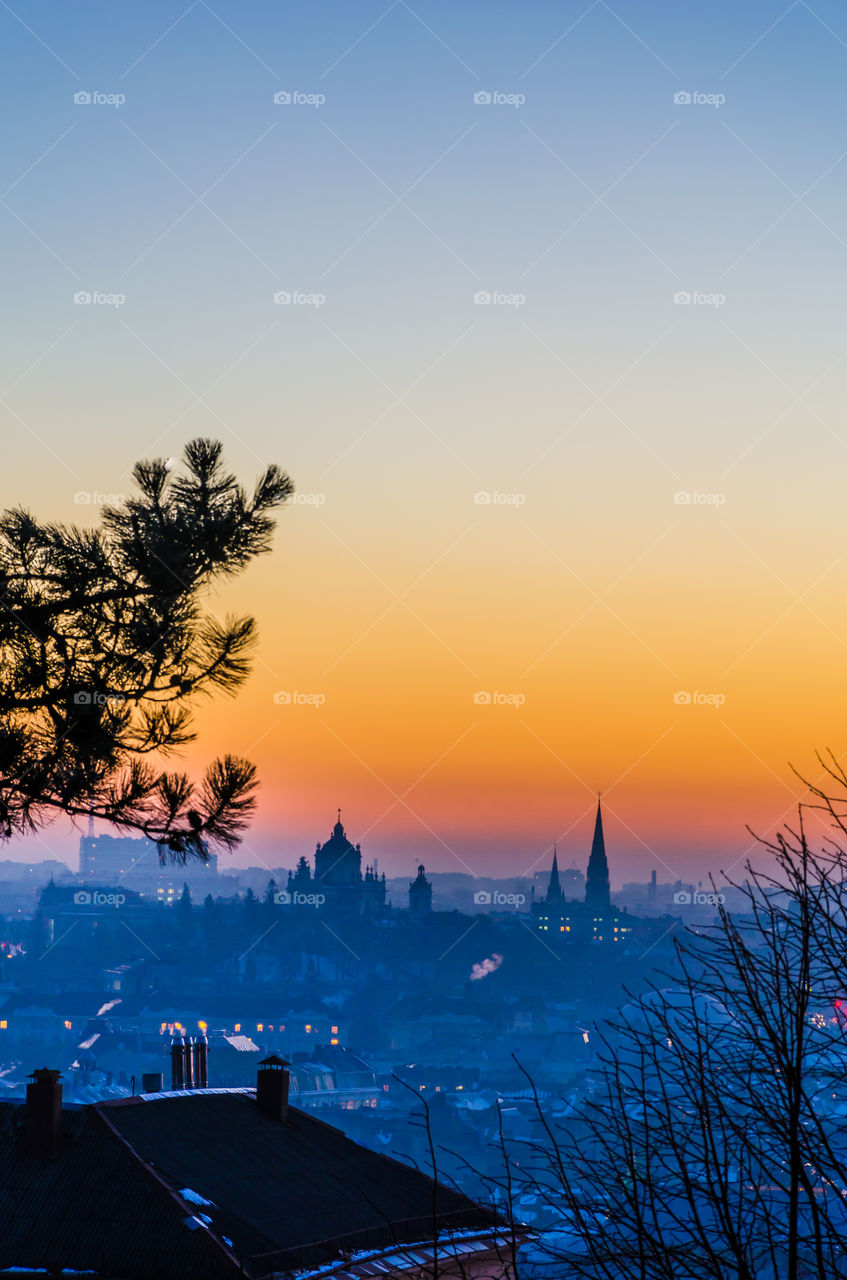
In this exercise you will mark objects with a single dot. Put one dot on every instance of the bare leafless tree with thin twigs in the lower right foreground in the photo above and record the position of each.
(715, 1142)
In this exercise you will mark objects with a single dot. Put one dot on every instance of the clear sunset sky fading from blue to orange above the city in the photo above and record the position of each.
(543, 309)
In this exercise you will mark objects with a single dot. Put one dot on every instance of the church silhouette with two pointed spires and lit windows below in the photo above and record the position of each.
(592, 920)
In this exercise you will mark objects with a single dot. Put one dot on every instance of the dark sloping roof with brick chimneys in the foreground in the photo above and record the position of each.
(112, 1200)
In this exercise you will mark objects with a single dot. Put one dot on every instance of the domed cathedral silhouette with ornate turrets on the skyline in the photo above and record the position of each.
(337, 884)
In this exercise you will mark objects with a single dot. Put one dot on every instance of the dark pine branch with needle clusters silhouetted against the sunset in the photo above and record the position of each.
(104, 647)
